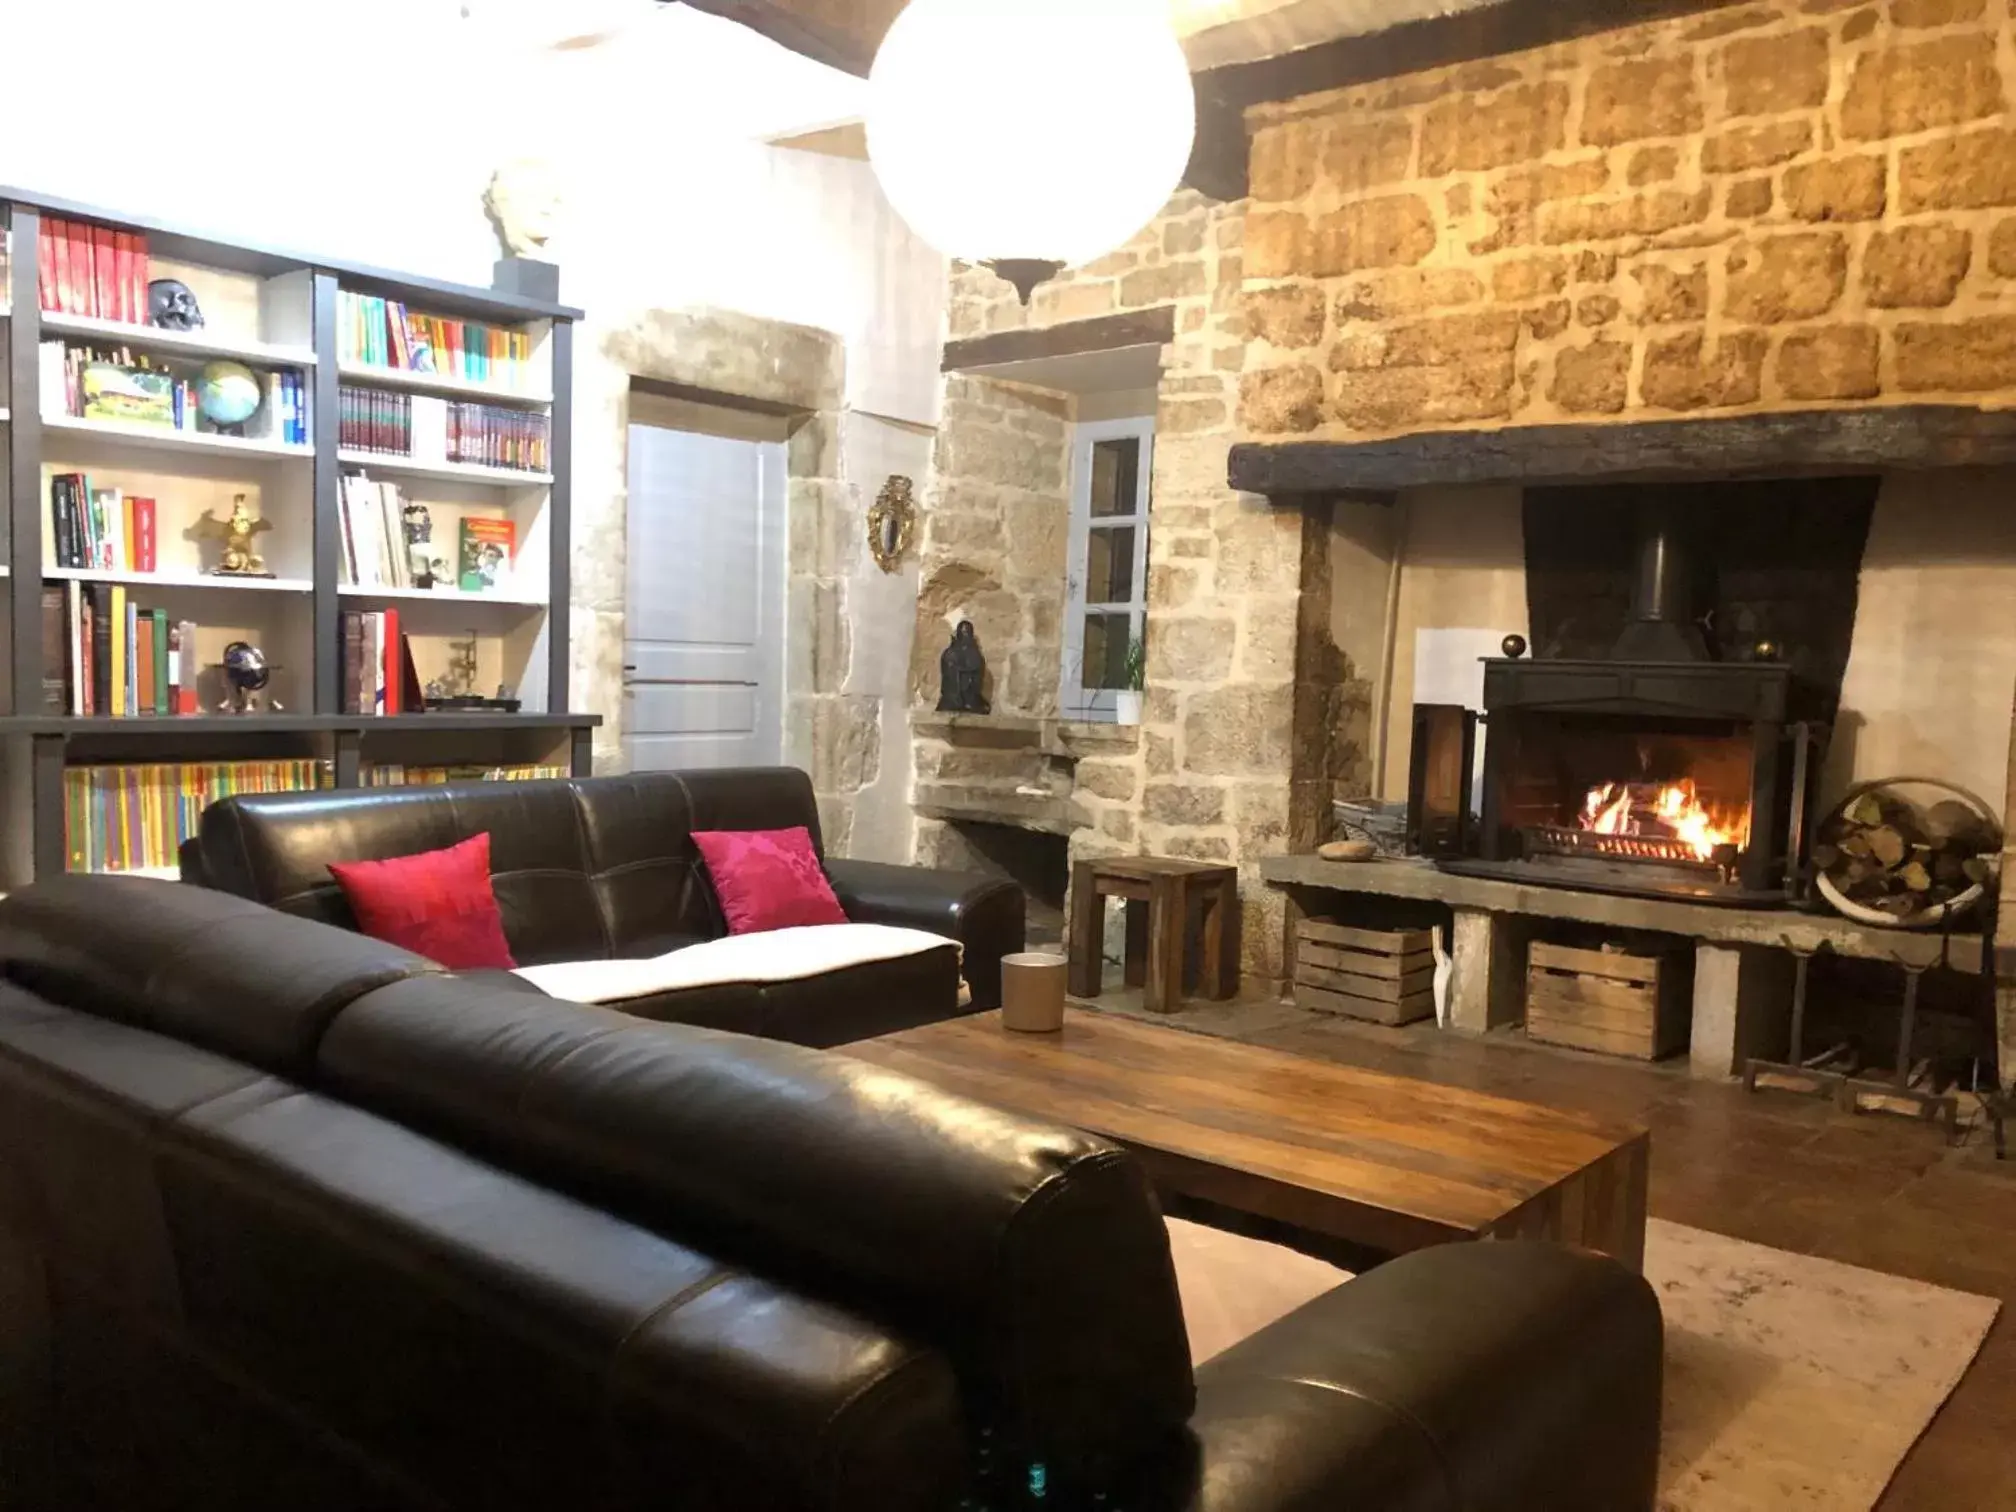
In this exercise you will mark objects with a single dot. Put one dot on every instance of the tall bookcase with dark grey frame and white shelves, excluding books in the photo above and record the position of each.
(277, 311)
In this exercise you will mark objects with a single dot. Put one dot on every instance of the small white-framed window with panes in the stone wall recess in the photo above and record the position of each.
(1106, 614)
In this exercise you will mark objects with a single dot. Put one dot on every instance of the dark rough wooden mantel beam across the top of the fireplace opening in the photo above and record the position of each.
(1729, 447)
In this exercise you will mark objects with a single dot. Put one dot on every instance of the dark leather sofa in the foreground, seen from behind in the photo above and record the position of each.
(291, 1219)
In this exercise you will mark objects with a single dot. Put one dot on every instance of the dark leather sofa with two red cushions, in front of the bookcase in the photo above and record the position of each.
(606, 868)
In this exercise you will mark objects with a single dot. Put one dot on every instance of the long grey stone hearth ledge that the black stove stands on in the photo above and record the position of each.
(1733, 926)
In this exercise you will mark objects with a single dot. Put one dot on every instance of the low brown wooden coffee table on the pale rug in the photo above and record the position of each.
(1311, 1146)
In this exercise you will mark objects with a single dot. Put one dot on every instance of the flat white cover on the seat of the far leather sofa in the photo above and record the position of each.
(773, 957)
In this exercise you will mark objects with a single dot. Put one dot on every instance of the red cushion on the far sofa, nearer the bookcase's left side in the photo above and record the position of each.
(438, 904)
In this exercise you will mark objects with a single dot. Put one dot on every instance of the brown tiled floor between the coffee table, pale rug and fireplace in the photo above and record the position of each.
(1769, 1168)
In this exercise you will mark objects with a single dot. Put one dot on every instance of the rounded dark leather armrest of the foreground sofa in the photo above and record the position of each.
(1471, 1378)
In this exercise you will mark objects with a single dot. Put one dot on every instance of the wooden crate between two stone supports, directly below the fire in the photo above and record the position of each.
(1608, 1001)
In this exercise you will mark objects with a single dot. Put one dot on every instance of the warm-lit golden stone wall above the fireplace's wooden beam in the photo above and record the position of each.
(1795, 203)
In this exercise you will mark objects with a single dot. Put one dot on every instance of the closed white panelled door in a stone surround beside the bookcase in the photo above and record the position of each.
(705, 642)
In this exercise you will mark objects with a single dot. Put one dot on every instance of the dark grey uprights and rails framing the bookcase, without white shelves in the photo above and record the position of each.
(55, 739)
